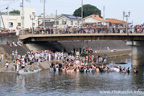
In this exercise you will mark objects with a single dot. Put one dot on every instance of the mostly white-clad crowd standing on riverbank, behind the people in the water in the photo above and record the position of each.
(21, 61)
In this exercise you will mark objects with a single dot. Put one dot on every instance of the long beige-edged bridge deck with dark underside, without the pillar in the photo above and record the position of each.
(81, 36)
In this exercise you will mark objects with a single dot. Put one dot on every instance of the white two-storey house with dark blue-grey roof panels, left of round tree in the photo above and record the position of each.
(67, 20)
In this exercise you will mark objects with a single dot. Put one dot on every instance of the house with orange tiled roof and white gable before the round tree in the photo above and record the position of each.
(95, 19)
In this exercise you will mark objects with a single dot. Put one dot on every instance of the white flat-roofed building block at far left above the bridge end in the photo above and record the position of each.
(16, 21)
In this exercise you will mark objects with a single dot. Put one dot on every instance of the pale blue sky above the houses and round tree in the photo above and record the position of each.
(113, 8)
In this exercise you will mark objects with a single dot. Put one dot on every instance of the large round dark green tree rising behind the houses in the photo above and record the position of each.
(87, 10)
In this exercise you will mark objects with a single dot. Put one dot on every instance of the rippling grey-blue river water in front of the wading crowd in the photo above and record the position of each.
(45, 83)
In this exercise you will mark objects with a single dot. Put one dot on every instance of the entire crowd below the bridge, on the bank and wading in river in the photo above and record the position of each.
(64, 62)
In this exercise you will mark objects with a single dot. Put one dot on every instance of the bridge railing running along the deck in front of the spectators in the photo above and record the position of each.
(82, 30)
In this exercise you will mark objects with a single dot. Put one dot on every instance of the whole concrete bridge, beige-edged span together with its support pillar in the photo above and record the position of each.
(135, 40)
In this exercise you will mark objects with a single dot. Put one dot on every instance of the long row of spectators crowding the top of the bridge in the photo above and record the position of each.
(88, 29)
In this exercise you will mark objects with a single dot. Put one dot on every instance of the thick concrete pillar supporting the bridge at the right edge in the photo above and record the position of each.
(137, 52)
